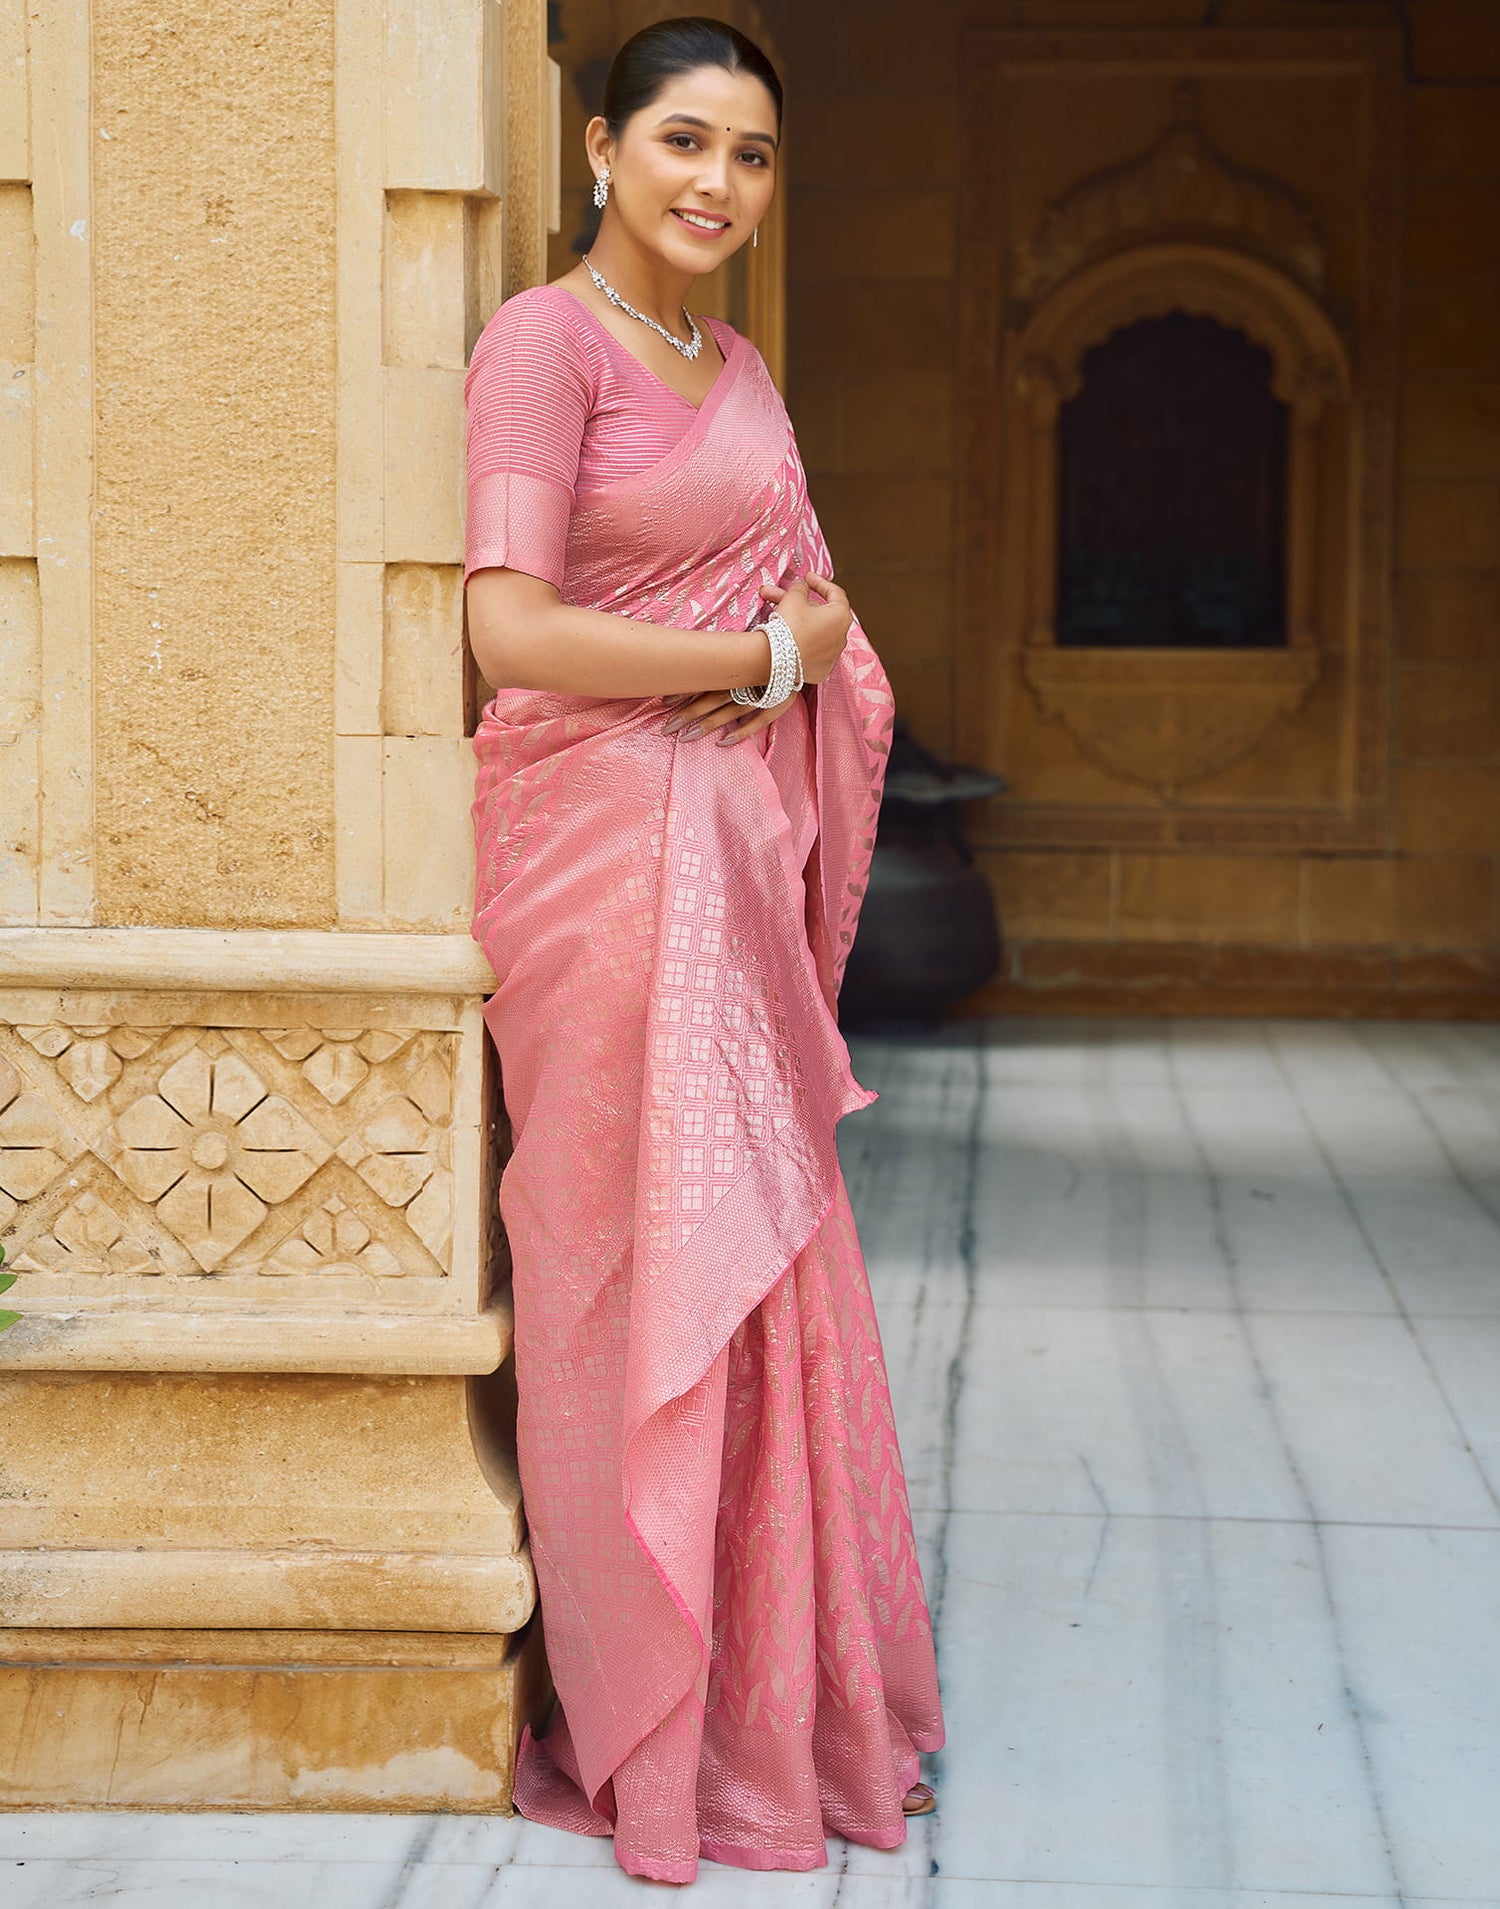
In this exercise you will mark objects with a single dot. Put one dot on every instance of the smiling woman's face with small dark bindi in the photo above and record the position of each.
(694, 173)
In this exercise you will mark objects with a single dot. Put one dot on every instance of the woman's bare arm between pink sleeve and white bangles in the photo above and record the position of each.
(524, 637)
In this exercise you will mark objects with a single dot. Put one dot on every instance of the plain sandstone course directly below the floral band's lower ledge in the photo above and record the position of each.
(188, 1463)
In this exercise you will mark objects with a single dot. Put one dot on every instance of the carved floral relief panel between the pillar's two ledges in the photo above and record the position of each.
(201, 1150)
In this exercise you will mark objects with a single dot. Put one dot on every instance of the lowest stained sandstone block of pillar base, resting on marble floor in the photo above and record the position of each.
(264, 1721)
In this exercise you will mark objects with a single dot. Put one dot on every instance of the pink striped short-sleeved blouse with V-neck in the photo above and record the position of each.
(556, 408)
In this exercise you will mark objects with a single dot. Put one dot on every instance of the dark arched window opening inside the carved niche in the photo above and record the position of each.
(1173, 493)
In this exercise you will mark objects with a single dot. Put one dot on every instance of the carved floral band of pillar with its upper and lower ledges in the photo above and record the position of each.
(255, 1177)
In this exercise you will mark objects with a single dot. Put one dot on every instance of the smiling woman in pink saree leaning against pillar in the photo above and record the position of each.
(669, 885)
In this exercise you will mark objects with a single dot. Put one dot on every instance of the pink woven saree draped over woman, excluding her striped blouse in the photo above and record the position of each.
(719, 1519)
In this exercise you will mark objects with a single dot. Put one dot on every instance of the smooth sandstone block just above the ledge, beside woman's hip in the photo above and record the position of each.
(428, 789)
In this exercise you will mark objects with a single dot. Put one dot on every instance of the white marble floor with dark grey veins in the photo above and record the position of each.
(1196, 1341)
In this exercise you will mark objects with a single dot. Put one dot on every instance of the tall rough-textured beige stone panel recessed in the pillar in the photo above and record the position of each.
(215, 583)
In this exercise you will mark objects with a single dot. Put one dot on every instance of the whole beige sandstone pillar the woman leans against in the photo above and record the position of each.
(260, 1536)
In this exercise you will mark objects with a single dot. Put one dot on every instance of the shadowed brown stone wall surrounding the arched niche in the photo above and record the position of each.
(1404, 915)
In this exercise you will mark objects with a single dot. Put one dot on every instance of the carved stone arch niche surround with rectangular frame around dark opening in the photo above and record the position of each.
(1138, 745)
